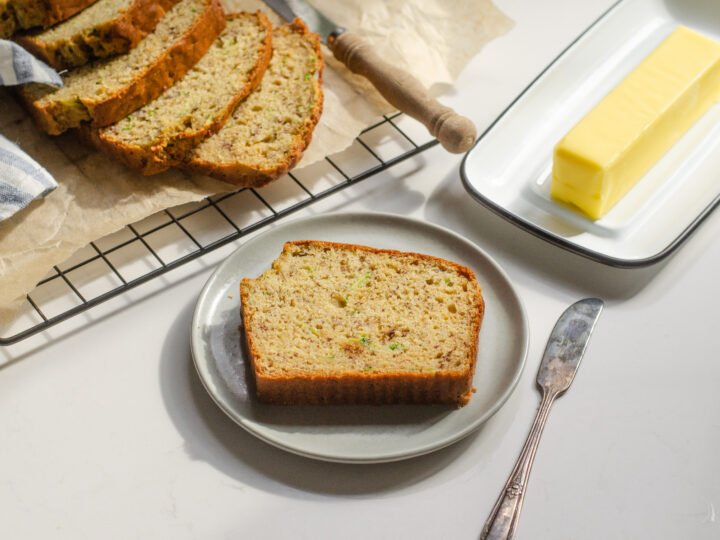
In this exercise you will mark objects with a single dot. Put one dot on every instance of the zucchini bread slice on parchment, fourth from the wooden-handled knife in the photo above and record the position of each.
(106, 28)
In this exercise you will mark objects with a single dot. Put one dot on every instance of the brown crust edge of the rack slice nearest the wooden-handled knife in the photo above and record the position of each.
(244, 176)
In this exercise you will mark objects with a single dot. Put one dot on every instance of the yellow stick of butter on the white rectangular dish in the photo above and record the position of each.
(618, 141)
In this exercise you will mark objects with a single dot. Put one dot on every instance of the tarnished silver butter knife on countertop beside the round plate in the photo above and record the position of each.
(563, 353)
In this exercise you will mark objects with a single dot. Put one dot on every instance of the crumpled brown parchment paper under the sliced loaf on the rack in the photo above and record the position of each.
(433, 39)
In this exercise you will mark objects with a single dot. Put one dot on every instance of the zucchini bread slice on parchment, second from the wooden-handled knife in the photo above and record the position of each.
(159, 134)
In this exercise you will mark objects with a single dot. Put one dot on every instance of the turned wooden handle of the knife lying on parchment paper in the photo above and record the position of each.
(456, 133)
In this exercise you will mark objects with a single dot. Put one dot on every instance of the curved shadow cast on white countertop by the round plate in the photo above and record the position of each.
(212, 437)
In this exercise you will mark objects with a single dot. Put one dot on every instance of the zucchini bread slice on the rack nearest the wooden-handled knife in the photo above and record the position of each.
(269, 131)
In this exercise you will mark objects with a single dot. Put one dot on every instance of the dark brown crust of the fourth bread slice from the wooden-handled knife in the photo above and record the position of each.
(112, 37)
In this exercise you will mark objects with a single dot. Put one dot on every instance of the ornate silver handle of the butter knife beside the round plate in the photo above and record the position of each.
(503, 520)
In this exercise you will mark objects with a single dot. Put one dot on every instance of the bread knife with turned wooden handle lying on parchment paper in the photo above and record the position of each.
(403, 91)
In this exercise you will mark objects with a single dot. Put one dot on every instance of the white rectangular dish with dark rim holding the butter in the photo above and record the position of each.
(508, 170)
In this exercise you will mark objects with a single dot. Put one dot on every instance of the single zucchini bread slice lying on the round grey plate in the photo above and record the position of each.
(341, 323)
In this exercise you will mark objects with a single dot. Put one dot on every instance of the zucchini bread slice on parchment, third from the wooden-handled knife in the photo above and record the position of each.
(106, 91)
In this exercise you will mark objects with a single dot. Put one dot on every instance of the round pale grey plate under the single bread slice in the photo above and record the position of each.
(357, 434)
